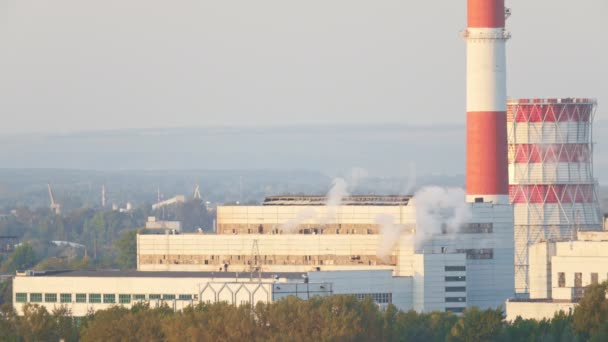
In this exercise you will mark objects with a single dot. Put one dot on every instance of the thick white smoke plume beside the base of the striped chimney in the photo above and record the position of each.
(439, 211)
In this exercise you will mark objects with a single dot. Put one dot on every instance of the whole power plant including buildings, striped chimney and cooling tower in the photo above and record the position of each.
(528, 178)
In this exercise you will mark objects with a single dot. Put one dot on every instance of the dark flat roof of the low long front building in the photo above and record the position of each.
(162, 274)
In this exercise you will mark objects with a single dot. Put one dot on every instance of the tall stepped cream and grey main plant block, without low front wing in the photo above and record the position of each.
(445, 267)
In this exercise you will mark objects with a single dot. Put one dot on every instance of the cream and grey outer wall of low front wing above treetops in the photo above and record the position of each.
(378, 284)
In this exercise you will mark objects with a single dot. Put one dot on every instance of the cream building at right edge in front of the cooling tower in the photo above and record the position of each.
(560, 271)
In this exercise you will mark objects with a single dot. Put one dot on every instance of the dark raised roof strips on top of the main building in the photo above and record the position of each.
(348, 200)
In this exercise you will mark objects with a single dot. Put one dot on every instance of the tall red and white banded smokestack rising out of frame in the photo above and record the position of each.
(487, 175)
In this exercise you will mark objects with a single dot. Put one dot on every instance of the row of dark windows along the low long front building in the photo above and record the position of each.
(107, 298)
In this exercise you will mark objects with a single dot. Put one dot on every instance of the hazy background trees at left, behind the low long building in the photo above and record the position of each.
(103, 235)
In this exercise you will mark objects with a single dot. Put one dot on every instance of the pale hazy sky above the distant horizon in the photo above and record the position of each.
(69, 65)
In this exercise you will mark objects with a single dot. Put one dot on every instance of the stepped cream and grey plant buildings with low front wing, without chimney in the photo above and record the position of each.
(446, 269)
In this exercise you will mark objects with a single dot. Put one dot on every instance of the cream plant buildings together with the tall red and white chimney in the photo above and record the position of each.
(414, 252)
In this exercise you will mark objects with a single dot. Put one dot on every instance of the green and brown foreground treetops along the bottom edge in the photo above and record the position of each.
(334, 318)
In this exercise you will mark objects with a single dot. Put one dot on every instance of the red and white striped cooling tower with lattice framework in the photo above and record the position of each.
(551, 183)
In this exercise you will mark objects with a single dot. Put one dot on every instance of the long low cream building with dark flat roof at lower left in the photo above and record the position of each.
(85, 291)
